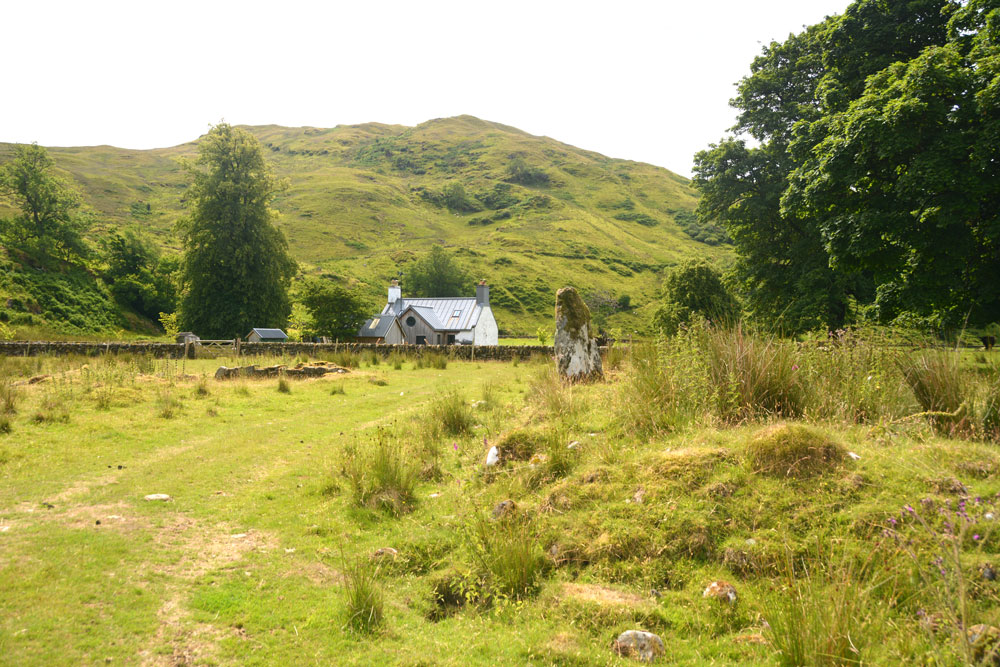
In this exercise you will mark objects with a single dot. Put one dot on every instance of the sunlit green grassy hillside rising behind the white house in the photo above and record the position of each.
(363, 201)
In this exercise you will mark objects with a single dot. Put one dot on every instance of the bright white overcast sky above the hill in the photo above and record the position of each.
(646, 81)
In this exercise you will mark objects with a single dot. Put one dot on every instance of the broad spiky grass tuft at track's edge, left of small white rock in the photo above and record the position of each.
(382, 475)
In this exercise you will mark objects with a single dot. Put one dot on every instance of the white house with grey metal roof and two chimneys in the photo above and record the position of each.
(435, 321)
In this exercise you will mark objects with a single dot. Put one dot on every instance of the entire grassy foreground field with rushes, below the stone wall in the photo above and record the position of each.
(829, 515)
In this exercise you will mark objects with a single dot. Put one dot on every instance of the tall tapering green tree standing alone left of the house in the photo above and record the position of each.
(236, 268)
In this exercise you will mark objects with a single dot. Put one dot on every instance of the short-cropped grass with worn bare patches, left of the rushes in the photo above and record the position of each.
(93, 572)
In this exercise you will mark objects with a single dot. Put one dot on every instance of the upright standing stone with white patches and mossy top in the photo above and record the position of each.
(578, 356)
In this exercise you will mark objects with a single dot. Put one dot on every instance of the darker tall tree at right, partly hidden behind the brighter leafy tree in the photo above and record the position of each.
(784, 266)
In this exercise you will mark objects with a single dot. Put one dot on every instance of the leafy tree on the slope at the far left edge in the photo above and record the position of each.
(50, 223)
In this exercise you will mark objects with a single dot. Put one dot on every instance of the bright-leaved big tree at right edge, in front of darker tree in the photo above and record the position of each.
(903, 183)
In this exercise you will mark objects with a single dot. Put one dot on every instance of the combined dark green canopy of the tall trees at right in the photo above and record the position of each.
(869, 178)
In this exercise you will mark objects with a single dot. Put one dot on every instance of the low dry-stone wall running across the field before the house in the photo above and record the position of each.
(176, 351)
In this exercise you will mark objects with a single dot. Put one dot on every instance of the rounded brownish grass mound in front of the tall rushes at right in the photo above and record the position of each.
(793, 450)
